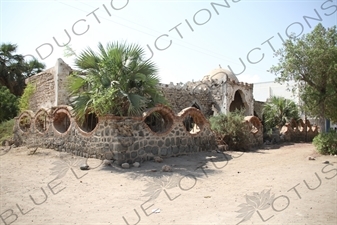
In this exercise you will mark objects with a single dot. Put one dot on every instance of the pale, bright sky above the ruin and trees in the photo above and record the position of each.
(223, 31)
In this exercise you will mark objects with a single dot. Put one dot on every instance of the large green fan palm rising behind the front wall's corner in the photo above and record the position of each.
(115, 80)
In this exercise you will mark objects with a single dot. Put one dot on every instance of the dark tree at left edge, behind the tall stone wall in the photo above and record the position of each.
(14, 69)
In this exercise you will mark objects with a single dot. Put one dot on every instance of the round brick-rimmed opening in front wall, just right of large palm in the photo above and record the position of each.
(159, 122)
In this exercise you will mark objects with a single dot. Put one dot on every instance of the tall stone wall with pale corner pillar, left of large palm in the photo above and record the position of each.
(50, 87)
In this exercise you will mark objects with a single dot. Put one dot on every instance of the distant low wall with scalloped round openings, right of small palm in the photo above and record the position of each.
(298, 131)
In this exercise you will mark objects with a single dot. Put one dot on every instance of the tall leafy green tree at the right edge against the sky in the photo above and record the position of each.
(311, 61)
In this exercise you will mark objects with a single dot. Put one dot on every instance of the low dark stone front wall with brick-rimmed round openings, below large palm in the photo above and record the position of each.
(120, 138)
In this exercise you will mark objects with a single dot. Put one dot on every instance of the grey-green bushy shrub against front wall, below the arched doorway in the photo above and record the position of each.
(231, 130)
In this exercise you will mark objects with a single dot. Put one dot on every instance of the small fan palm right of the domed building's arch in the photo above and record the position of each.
(277, 111)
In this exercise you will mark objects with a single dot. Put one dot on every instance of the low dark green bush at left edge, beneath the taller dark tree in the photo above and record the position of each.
(8, 104)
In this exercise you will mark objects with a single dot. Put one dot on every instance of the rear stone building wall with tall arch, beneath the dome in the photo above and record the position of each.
(210, 96)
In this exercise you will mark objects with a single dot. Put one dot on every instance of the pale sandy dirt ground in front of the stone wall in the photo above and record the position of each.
(267, 186)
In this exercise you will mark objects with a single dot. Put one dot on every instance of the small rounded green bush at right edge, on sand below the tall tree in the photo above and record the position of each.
(326, 143)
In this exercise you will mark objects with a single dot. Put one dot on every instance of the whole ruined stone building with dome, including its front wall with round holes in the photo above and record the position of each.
(182, 129)
